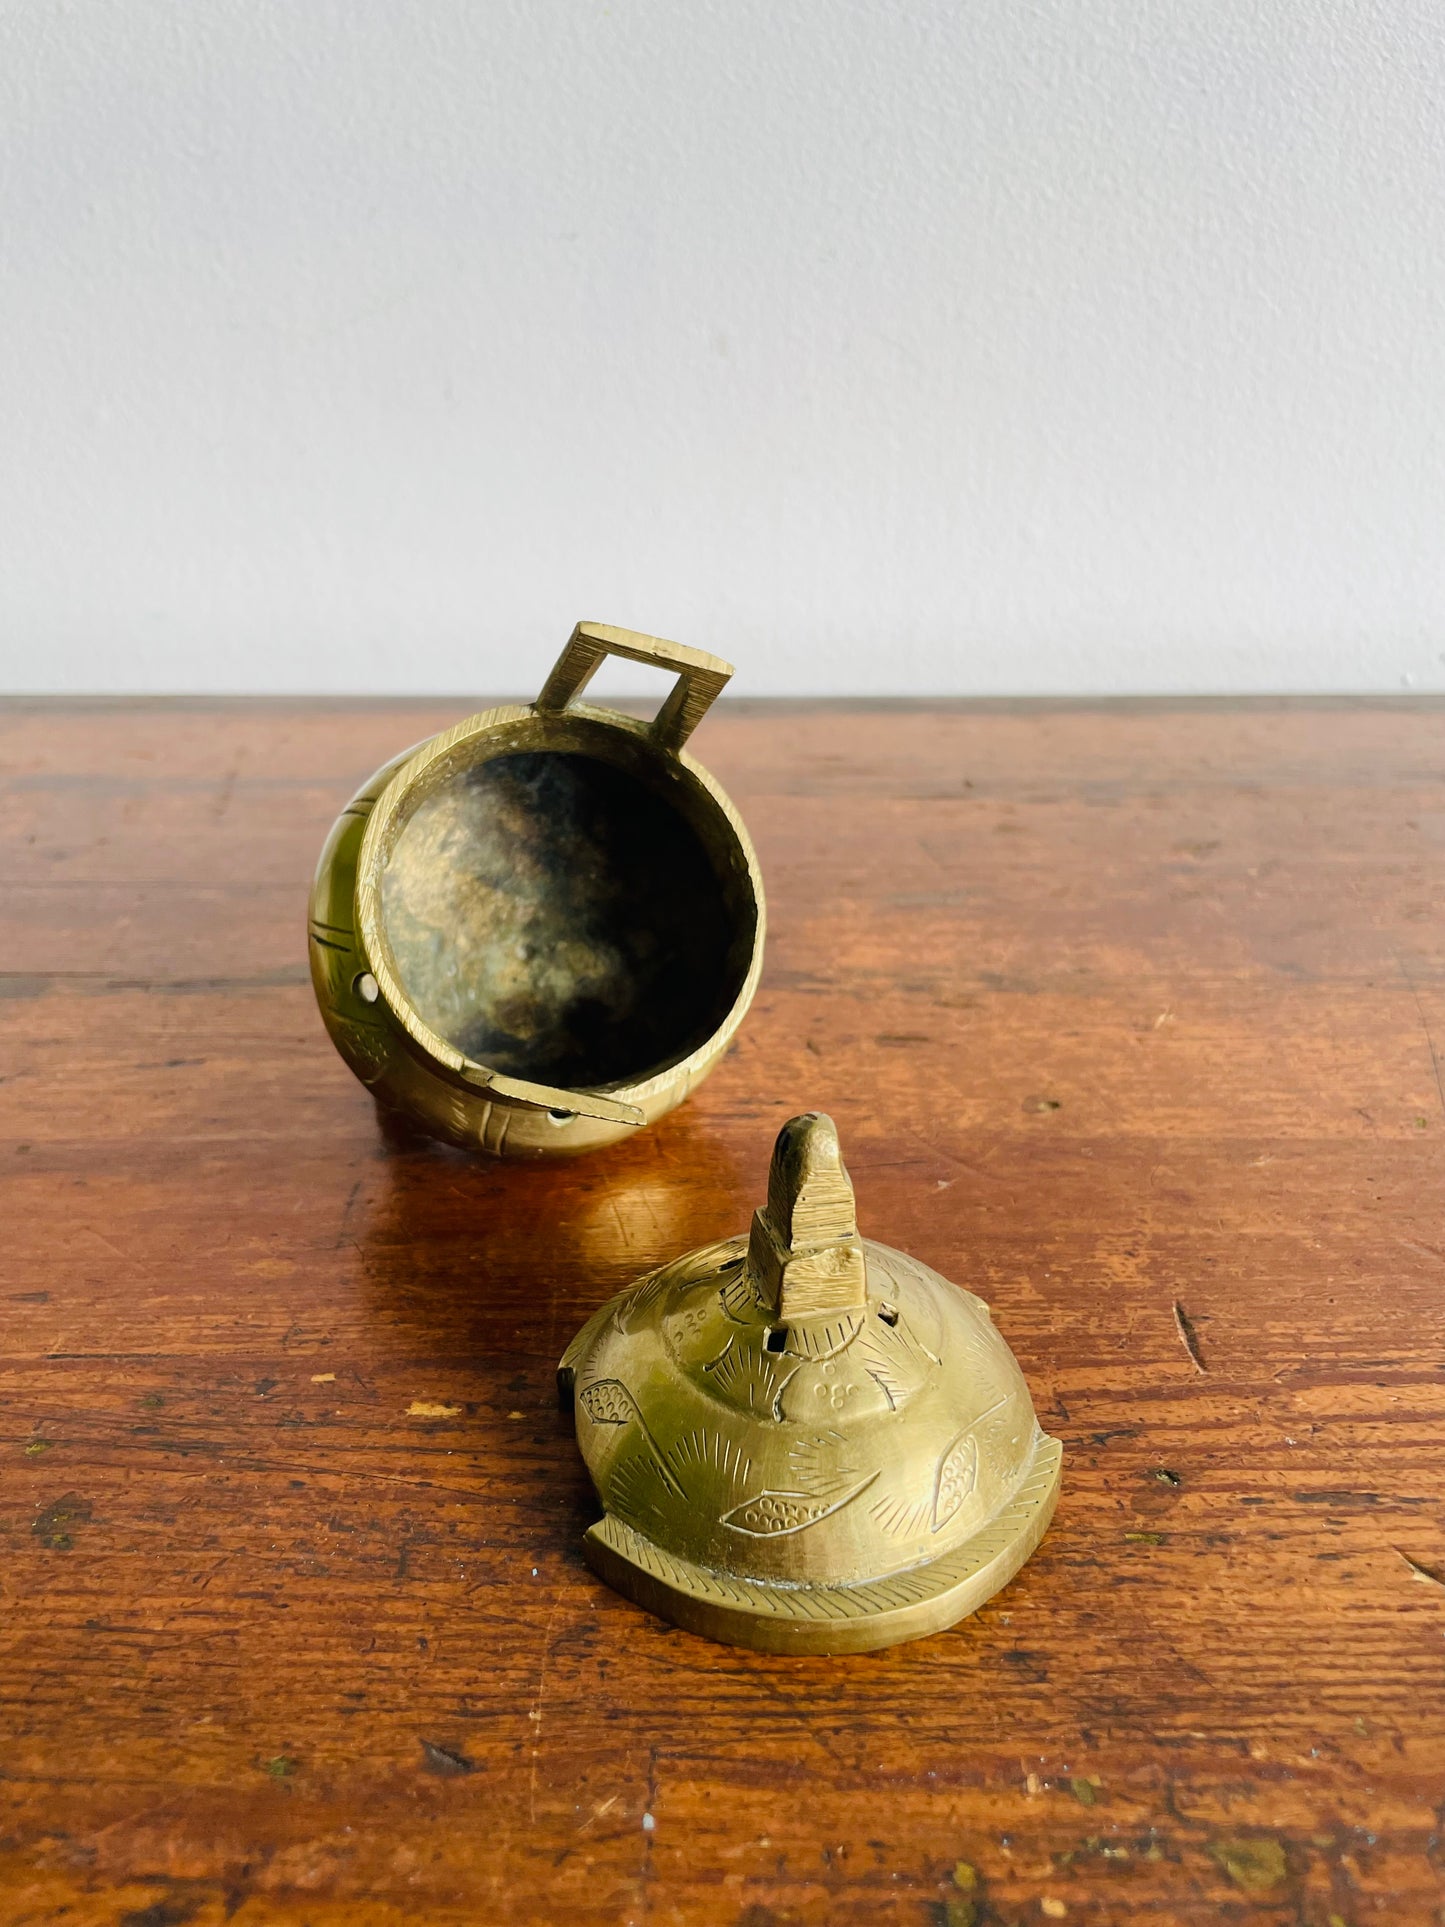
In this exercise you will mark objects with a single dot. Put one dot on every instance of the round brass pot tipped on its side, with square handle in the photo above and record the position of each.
(542, 928)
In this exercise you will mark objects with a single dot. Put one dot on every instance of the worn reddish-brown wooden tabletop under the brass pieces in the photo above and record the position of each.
(1118, 1009)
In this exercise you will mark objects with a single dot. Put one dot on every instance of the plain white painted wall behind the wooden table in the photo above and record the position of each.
(955, 346)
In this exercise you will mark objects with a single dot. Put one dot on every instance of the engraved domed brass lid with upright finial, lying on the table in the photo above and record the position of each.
(802, 1440)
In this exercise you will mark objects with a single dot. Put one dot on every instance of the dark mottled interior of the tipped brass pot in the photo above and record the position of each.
(558, 918)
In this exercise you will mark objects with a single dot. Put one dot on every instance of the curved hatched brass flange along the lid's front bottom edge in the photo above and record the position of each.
(833, 1620)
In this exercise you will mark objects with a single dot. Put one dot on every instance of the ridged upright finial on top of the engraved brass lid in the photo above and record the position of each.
(804, 1248)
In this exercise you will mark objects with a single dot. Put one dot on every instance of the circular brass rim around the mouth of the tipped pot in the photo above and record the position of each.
(581, 729)
